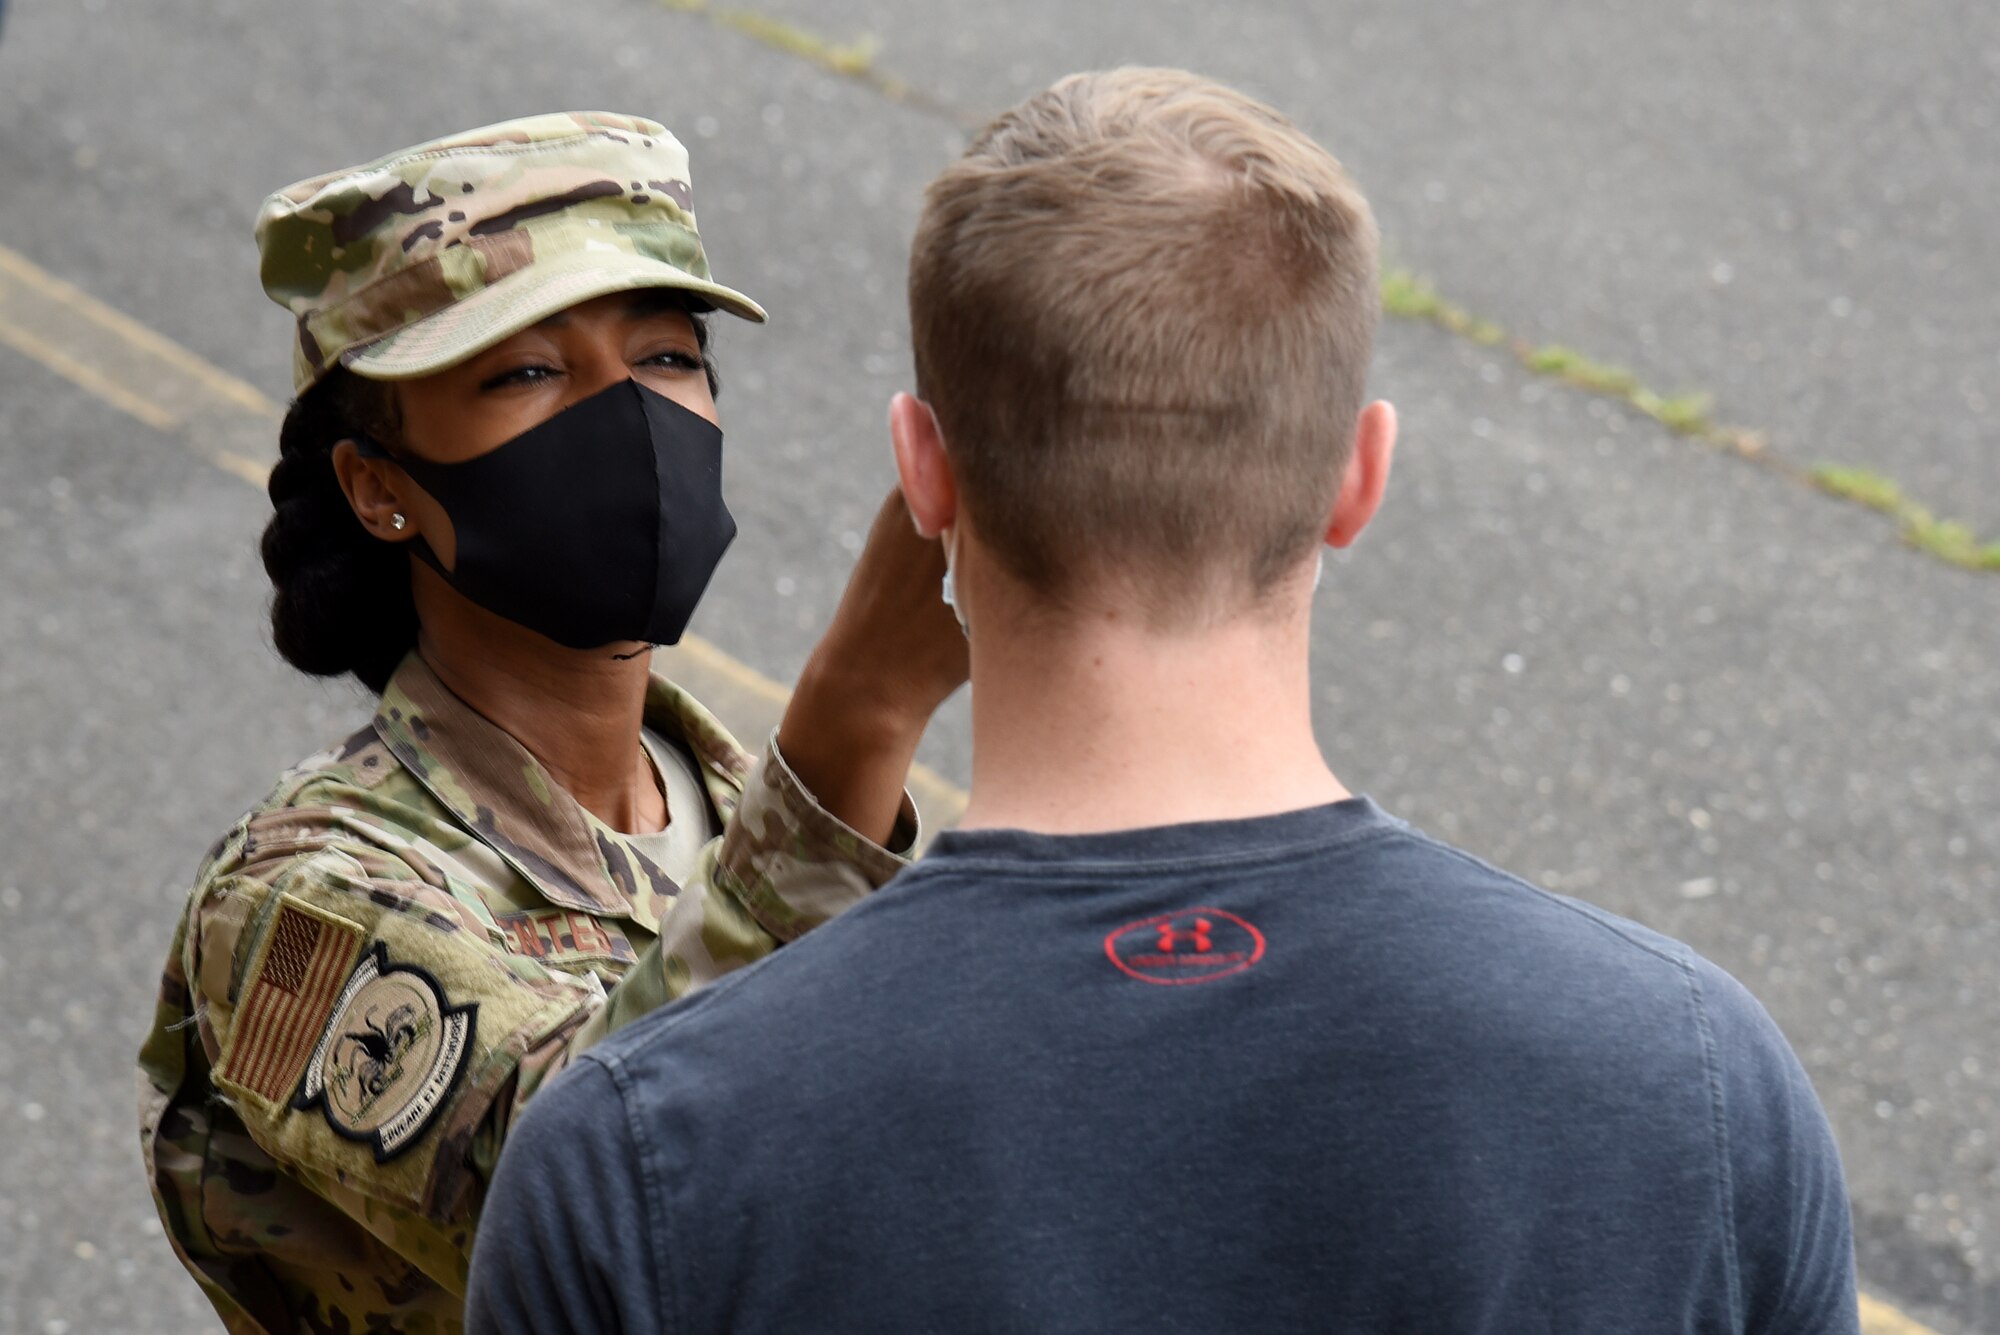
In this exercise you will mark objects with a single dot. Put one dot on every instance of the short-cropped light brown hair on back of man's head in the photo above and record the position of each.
(1143, 311)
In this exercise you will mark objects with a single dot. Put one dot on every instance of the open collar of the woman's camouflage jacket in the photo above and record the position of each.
(505, 798)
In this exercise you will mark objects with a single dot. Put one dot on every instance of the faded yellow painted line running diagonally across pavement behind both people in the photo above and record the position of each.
(159, 383)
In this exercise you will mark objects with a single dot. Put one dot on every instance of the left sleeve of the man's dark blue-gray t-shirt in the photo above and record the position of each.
(567, 1244)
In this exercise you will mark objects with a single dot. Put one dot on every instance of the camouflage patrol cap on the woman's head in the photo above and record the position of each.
(423, 259)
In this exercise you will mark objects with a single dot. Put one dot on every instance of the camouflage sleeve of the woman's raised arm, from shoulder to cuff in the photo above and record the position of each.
(379, 1042)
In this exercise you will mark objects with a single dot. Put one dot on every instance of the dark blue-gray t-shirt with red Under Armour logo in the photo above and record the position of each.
(1309, 1072)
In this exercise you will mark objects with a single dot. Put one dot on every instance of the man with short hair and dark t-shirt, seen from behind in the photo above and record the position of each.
(1173, 1032)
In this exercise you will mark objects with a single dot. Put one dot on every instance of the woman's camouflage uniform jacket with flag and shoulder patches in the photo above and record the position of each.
(391, 954)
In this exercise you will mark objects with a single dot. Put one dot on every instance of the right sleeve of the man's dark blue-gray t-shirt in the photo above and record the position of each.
(1795, 1236)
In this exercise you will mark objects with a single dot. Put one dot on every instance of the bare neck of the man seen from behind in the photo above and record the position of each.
(1109, 726)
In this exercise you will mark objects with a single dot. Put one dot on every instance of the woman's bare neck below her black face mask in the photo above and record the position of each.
(579, 712)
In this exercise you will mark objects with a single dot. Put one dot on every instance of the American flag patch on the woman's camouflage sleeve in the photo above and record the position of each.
(293, 988)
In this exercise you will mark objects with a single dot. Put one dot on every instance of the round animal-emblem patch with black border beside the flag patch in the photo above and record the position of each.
(389, 1056)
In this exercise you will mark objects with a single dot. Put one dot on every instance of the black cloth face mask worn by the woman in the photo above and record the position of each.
(601, 525)
